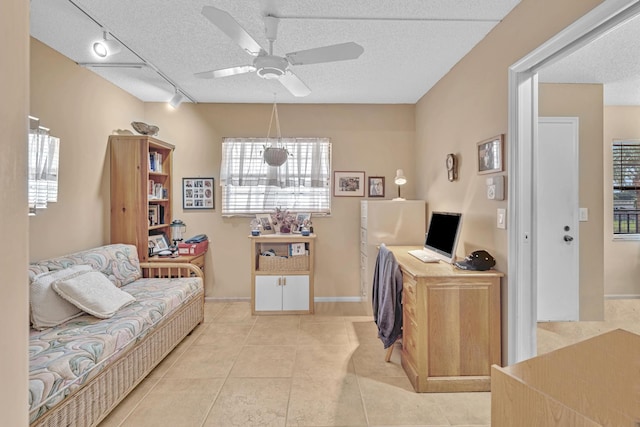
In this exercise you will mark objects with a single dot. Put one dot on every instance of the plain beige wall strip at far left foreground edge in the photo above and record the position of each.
(14, 309)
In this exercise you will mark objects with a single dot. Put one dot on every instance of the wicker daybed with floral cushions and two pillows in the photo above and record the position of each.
(83, 367)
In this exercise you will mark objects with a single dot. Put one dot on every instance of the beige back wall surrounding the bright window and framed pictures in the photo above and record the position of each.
(376, 139)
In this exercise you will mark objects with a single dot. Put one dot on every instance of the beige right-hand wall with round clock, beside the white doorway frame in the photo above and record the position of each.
(469, 105)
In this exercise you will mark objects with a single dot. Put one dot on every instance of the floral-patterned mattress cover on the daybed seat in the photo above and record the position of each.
(63, 358)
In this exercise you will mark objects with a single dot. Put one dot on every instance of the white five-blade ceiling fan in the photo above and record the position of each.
(266, 64)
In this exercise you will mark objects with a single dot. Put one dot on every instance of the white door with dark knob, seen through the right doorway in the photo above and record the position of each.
(557, 249)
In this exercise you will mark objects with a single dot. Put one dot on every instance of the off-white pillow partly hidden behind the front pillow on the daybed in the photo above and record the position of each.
(47, 308)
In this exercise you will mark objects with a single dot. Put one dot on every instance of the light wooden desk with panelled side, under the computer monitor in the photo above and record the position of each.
(451, 325)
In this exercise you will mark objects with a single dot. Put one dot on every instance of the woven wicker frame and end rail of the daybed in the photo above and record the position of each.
(92, 403)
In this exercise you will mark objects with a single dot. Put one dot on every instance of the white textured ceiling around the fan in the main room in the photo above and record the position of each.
(408, 45)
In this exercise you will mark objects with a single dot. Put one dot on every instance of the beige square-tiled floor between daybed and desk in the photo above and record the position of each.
(325, 369)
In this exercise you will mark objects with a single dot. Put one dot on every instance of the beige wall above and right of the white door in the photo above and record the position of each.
(585, 102)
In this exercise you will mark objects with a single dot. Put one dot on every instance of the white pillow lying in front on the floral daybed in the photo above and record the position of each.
(94, 293)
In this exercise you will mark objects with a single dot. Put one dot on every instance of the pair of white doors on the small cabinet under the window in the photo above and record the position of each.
(276, 293)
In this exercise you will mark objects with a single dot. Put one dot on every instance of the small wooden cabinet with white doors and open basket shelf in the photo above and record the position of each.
(282, 283)
